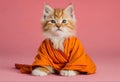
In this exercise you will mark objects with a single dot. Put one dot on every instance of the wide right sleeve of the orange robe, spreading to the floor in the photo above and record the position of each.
(79, 60)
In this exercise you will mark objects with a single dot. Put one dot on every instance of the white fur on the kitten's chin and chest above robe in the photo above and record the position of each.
(58, 37)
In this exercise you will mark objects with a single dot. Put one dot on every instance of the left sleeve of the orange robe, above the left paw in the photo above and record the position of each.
(42, 58)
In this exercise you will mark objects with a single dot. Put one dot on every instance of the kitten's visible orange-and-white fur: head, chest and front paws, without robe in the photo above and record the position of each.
(58, 24)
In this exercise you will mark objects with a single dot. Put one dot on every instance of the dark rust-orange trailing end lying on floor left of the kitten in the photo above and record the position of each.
(24, 68)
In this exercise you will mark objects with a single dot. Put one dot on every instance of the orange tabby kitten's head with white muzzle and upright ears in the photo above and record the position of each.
(58, 22)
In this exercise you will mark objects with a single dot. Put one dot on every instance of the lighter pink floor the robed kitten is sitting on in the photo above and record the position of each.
(108, 69)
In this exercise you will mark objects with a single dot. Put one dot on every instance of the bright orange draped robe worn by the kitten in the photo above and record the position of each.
(73, 58)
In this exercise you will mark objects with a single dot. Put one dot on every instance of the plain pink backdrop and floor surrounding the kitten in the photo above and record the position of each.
(98, 27)
